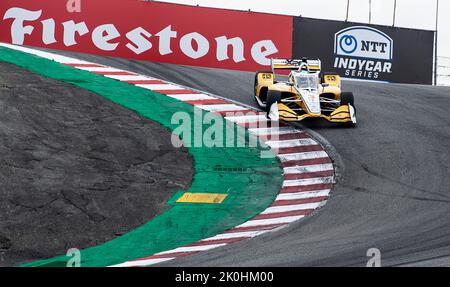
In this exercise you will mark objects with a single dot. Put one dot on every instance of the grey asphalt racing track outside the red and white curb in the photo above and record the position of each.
(393, 190)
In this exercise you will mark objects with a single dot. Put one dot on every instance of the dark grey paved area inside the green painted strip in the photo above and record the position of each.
(75, 169)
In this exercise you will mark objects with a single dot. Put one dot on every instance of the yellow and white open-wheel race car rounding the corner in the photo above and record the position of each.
(308, 93)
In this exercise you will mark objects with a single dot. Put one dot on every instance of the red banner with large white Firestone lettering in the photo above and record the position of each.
(150, 31)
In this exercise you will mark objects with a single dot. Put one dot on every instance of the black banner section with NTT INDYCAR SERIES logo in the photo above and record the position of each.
(366, 52)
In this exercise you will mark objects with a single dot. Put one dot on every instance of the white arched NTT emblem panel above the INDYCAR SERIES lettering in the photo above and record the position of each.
(363, 42)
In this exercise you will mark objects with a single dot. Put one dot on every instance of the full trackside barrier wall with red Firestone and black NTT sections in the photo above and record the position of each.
(219, 38)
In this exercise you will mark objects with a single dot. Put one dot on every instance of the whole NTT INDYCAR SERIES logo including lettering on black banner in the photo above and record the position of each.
(363, 52)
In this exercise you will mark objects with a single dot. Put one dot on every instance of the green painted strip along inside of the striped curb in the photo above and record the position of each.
(250, 191)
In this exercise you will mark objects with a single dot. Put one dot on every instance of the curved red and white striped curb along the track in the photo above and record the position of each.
(308, 170)
